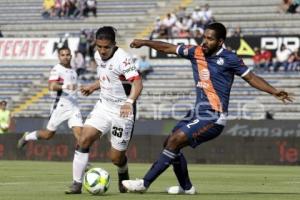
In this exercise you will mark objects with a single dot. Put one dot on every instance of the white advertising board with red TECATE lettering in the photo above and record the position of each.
(34, 48)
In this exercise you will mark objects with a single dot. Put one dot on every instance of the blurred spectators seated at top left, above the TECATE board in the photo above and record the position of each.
(73, 9)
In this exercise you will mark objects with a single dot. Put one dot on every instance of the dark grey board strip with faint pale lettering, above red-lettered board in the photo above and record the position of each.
(235, 128)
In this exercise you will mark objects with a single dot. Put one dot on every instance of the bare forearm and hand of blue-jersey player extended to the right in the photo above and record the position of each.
(259, 83)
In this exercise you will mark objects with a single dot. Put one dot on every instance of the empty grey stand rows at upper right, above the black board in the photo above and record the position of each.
(254, 17)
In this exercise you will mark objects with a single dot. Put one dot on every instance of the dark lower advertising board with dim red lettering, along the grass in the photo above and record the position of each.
(144, 148)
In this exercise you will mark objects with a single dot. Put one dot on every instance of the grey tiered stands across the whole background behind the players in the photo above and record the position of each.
(164, 94)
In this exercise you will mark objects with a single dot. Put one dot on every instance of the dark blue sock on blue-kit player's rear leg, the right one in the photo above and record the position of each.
(181, 171)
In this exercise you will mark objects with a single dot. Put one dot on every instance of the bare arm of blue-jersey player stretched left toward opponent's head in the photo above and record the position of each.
(157, 45)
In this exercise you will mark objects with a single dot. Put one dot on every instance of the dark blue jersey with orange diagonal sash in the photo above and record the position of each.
(213, 76)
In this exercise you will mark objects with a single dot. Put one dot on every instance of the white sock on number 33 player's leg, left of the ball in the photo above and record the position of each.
(79, 164)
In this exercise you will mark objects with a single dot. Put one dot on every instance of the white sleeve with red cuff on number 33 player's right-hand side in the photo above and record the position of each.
(129, 69)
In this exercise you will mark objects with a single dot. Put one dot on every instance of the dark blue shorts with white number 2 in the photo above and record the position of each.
(200, 126)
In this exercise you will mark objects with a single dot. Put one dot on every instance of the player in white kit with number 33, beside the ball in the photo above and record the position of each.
(113, 114)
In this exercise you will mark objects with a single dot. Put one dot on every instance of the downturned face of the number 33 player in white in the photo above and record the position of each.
(105, 48)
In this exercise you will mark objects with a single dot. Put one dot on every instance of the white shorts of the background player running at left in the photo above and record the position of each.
(62, 113)
